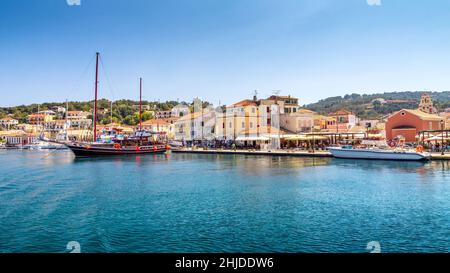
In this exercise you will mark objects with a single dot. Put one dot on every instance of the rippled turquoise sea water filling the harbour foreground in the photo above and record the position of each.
(220, 203)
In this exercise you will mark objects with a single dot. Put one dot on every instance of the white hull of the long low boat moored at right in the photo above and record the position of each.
(378, 154)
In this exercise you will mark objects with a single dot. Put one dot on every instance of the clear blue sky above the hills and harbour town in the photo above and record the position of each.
(221, 49)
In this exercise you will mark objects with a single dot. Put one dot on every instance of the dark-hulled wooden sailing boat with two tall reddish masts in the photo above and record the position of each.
(140, 142)
